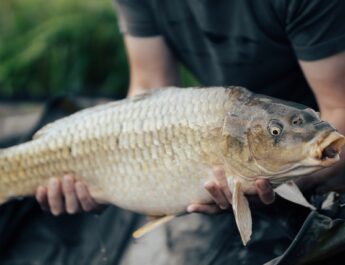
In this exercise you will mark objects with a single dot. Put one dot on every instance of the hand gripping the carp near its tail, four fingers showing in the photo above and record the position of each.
(65, 194)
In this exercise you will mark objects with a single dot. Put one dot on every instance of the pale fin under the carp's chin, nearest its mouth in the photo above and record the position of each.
(291, 192)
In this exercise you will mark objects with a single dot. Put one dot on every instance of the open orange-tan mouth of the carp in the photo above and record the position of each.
(329, 148)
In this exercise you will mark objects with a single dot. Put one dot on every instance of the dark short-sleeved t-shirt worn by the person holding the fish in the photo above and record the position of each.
(249, 43)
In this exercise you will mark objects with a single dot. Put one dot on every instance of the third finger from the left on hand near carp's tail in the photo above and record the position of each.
(71, 200)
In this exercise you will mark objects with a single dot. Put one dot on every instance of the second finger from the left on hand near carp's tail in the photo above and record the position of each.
(55, 197)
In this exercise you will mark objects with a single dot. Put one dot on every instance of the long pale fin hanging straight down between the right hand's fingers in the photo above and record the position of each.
(242, 213)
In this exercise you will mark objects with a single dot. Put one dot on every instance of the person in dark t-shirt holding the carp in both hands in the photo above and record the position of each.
(292, 50)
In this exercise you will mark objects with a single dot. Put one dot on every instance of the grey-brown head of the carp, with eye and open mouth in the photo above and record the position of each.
(284, 139)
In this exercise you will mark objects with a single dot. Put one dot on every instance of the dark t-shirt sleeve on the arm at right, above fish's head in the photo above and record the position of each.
(315, 28)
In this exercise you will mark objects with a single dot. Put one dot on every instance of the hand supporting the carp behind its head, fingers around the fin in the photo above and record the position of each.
(222, 196)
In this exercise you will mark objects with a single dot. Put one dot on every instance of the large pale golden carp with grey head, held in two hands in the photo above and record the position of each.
(153, 153)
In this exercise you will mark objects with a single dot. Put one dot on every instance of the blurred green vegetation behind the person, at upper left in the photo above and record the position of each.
(74, 46)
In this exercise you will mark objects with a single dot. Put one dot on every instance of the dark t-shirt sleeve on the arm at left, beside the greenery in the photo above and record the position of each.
(136, 18)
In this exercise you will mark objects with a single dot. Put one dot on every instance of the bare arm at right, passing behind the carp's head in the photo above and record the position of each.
(327, 80)
